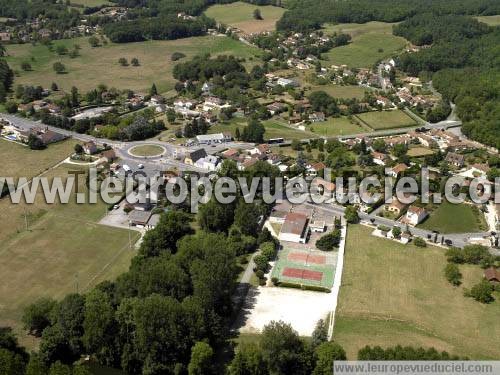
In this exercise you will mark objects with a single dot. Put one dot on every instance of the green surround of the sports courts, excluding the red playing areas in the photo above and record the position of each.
(283, 262)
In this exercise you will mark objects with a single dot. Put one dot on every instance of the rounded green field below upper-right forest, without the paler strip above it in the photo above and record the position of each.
(366, 49)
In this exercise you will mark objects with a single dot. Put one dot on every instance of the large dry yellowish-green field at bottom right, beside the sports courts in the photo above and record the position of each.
(395, 294)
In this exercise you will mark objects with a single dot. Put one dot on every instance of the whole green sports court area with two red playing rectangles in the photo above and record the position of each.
(305, 267)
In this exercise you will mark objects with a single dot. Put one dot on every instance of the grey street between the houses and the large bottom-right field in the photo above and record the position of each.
(459, 239)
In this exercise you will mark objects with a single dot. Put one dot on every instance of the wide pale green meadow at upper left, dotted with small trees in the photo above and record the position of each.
(100, 65)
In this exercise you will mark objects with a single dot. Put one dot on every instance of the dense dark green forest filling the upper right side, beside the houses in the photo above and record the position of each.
(465, 60)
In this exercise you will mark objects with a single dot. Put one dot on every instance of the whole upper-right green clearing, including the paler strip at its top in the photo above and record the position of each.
(371, 42)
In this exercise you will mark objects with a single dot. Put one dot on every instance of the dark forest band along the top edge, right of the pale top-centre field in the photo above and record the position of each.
(311, 14)
